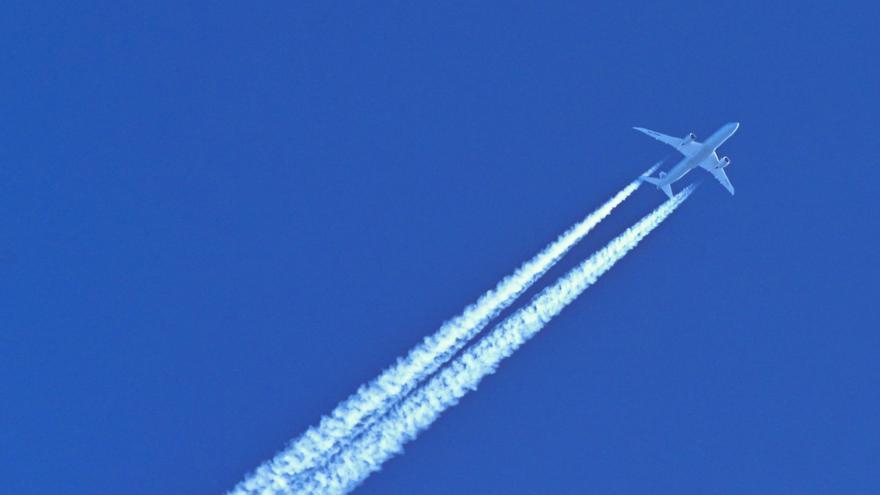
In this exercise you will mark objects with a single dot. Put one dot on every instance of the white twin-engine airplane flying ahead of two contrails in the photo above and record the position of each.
(696, 154)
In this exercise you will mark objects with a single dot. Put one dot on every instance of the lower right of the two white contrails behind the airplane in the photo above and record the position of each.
(404, 422)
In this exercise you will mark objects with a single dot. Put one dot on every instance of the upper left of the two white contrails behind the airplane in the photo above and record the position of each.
(372, 400)
